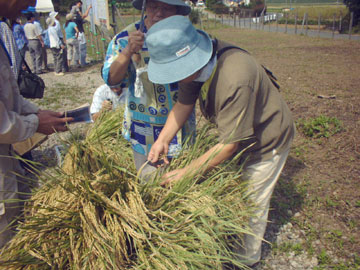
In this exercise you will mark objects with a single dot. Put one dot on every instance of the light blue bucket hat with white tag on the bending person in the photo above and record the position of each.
(177, 50)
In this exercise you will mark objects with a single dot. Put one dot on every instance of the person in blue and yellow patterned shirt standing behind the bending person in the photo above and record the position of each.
(147, 105)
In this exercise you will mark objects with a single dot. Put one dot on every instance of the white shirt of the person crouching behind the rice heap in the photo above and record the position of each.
(105, 93)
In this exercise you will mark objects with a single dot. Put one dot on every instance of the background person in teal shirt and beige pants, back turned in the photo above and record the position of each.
(72, 42)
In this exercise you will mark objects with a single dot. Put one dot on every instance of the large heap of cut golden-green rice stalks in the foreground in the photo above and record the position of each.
(95, 214)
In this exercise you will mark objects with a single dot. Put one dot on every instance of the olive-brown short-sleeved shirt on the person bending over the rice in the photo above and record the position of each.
(245, 106)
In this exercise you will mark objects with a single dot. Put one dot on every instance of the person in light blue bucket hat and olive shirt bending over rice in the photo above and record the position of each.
(238, 95)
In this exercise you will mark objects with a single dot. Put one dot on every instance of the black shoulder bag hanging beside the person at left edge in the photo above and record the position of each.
(30, 84)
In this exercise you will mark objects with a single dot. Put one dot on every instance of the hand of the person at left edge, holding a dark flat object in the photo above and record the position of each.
(50, 122)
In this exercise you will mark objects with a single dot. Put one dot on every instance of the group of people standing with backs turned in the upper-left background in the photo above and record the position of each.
(66, 42)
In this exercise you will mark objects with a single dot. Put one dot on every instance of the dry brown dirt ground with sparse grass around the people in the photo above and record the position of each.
(319, 190)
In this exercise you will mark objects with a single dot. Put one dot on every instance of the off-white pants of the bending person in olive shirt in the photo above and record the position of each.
(262, 178)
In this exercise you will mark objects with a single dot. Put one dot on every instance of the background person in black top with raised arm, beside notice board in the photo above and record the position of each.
(79, 20)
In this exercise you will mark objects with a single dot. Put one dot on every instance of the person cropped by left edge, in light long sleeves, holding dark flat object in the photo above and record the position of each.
(19, 120)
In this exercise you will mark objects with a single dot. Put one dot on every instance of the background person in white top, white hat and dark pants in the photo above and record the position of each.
(56, 46)
